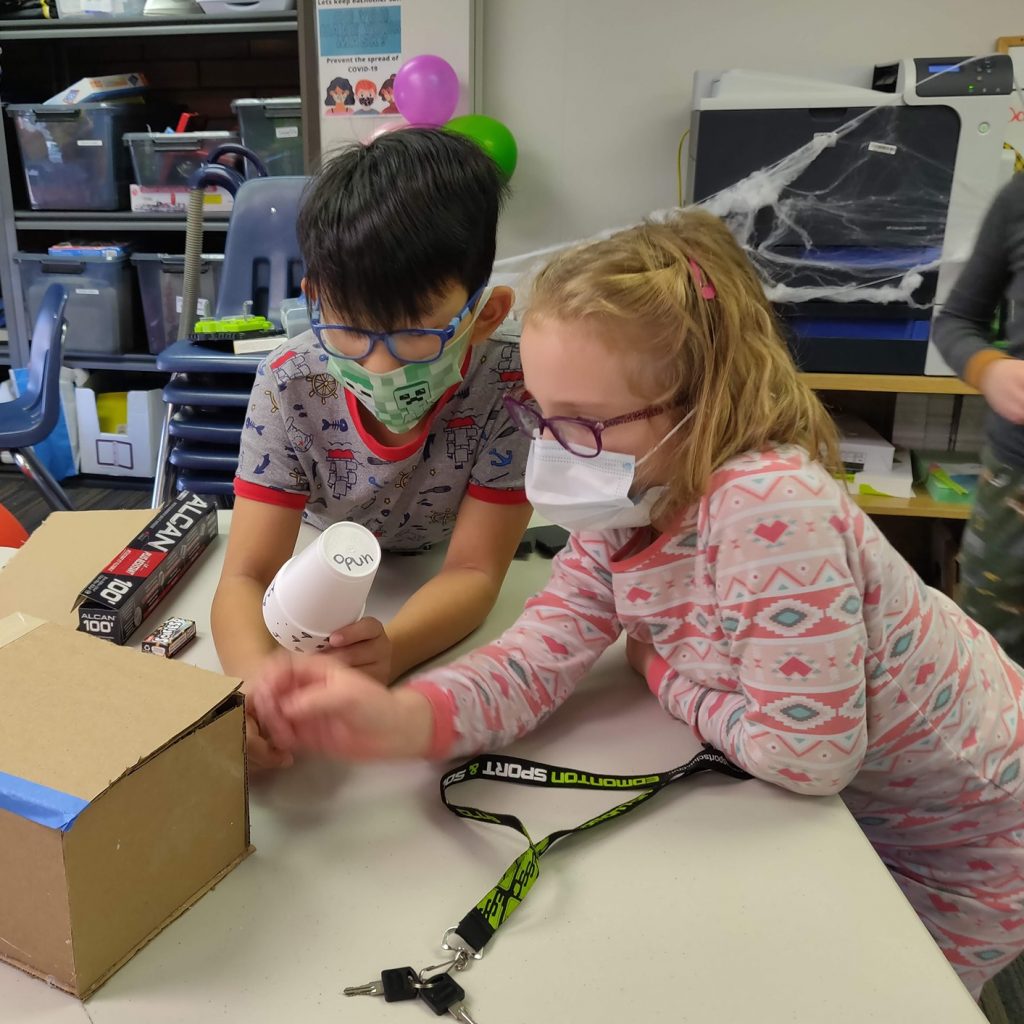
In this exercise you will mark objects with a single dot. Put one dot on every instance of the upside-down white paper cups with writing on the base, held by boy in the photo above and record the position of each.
(323, 588)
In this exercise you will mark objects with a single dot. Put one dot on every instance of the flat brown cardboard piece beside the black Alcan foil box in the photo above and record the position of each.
(59, 561)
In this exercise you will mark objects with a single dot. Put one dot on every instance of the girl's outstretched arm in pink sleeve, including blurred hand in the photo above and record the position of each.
(487, 699)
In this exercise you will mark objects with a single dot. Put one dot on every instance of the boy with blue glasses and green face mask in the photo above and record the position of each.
(390, 412)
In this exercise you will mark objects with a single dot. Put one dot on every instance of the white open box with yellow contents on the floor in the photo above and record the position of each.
(131, 454)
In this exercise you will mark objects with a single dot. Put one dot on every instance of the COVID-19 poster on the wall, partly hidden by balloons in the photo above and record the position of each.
(362, 46)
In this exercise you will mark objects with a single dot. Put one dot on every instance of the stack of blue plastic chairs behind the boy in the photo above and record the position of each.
(208, 393)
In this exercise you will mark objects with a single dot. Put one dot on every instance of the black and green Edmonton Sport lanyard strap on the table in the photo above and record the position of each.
(479, 927)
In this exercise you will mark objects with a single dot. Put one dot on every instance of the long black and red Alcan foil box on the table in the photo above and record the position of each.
(115, 604)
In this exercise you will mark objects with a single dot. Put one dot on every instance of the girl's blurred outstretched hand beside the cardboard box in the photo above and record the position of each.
(315, 704)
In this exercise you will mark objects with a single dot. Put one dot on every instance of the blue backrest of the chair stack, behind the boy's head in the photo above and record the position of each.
(263, 263)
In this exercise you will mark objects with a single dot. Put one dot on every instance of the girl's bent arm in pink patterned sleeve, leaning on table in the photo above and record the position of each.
(792, 610)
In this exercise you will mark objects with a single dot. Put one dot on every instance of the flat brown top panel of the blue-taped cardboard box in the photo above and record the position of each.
(78, 714)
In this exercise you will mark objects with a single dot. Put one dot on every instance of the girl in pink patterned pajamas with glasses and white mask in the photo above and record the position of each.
(675, 440)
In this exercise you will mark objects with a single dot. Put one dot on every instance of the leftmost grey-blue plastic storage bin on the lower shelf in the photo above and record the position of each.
(101, 298)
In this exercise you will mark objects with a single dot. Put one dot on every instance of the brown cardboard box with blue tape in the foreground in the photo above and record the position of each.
(123, 799)
